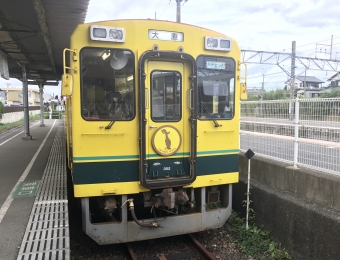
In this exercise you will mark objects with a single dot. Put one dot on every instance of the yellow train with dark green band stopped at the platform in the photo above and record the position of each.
(152, 122)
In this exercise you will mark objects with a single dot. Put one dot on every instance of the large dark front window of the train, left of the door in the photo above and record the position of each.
(107, 84)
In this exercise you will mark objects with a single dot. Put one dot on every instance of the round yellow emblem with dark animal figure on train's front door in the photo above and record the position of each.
(166, 140)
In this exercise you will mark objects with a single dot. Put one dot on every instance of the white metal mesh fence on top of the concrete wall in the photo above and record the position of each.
(303, 132)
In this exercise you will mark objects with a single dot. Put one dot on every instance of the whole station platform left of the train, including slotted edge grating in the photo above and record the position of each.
(33, 193)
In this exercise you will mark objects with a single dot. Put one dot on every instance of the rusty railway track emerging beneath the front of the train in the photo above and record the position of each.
(192, 250)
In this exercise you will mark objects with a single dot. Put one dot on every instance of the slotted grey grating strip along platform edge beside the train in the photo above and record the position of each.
(47, 232)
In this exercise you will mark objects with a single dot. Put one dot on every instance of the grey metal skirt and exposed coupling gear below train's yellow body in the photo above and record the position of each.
(158, 213)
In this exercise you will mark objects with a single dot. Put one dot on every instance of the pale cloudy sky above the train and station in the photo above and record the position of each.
(262, 25)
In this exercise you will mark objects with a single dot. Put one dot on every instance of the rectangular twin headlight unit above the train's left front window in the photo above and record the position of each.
(107, 33)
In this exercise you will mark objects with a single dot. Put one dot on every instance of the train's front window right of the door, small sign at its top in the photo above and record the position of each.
(216, 87)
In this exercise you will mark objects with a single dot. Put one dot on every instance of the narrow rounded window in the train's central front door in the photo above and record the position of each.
(166, 92)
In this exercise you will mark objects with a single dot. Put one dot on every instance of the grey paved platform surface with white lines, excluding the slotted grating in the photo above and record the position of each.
(22, 164)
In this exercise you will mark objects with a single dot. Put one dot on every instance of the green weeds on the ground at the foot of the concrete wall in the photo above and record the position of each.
(254, 241)
